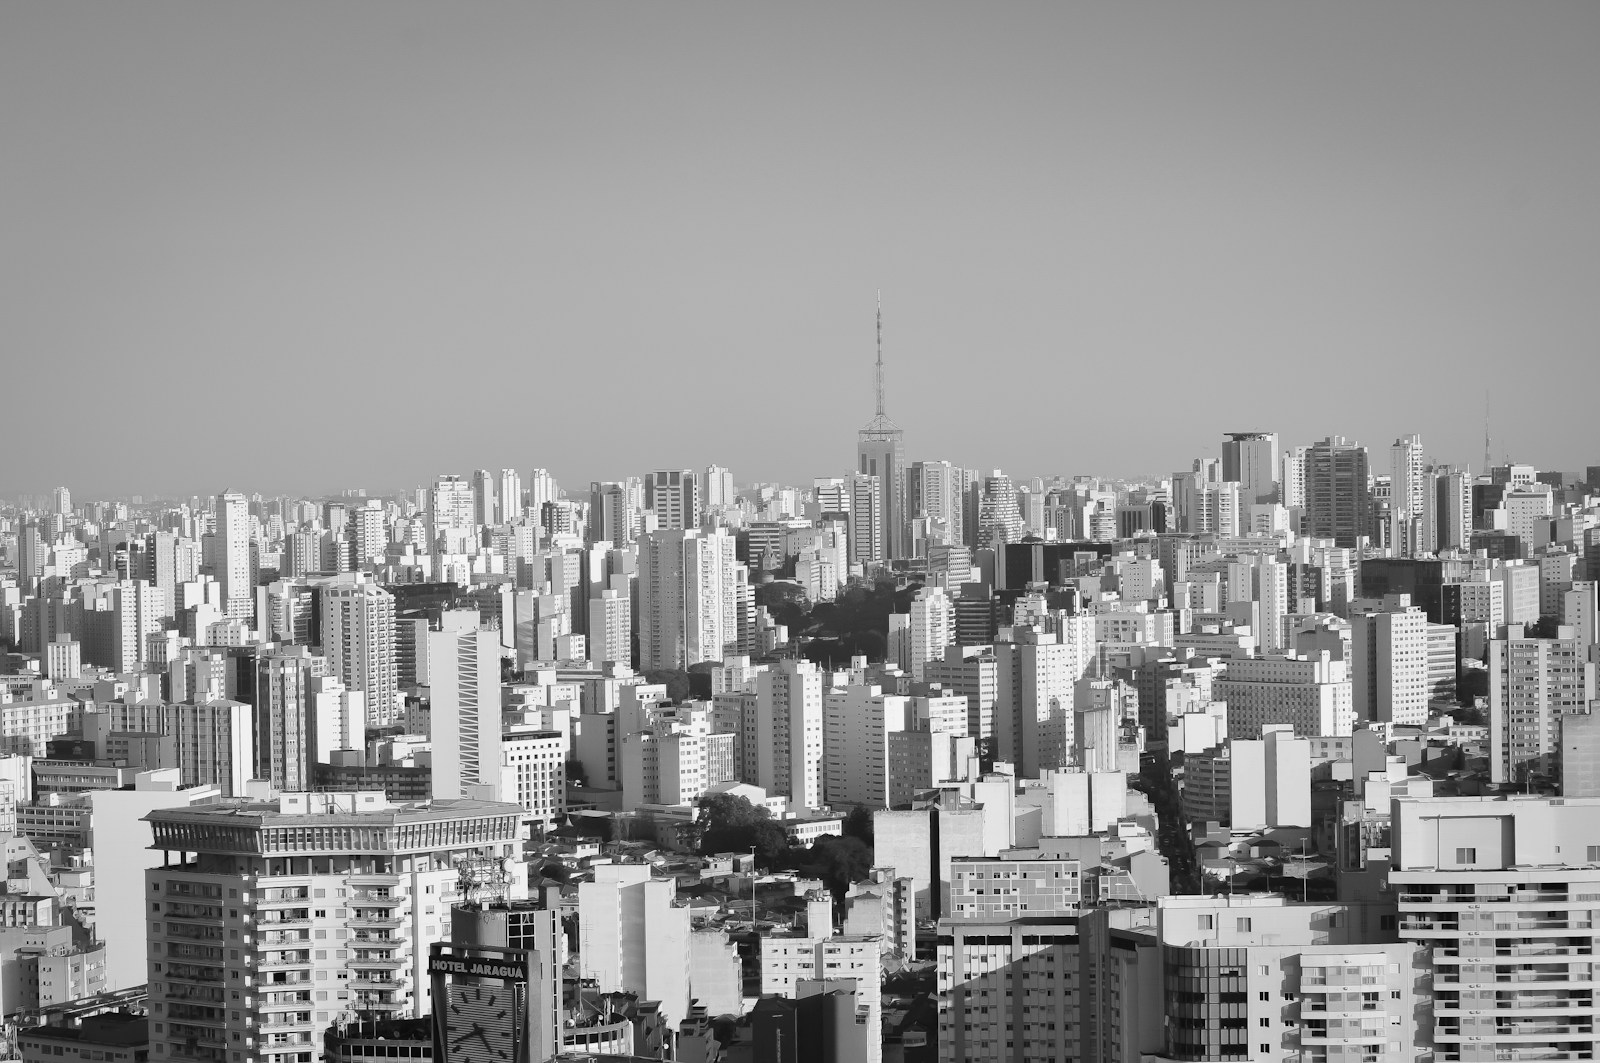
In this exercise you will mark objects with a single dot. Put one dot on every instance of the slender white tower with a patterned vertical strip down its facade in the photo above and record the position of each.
(465, 688)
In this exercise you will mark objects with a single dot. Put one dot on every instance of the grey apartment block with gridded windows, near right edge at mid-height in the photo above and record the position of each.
(1534, 686)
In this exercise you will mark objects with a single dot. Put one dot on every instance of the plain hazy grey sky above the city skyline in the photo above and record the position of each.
(300, 247)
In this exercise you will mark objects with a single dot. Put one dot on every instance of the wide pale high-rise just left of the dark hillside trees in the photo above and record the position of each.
(689, 598)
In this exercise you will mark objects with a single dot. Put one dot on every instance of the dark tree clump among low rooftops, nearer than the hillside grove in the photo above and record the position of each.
(729, 824)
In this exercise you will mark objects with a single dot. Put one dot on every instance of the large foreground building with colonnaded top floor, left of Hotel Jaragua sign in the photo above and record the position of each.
(268, 920)
